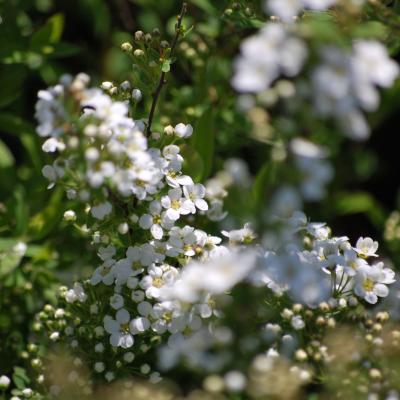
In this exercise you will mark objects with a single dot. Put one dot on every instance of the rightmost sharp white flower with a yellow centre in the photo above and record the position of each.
(370, 282)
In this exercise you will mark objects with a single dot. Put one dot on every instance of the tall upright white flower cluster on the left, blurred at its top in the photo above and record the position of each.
(141, 194)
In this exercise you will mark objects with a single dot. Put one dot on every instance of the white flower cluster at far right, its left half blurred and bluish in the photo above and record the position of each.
(317, 266)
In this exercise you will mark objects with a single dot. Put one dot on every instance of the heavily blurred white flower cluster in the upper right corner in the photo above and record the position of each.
(342, 85)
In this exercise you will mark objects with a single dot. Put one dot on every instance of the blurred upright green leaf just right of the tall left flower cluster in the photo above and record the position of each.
(203, 140)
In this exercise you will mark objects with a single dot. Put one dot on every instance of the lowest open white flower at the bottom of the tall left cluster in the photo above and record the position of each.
(119, 329)
